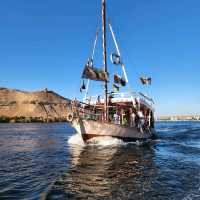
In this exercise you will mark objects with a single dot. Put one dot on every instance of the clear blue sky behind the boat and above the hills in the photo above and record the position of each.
(45, 43)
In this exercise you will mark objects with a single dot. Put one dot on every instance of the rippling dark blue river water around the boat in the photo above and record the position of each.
(46, 161)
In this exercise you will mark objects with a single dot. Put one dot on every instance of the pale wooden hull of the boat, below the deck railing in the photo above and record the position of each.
(90, 129)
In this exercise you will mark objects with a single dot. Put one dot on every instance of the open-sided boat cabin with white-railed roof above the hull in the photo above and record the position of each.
(125, 109)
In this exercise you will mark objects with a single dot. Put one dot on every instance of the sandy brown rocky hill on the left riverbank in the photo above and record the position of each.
(30, 106)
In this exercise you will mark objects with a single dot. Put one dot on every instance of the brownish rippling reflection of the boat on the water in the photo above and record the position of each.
(106, 172)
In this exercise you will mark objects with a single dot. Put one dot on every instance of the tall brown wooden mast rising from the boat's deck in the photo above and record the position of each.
(105, 58)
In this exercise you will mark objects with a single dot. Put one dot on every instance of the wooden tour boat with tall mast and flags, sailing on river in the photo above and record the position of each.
(126, 115)
